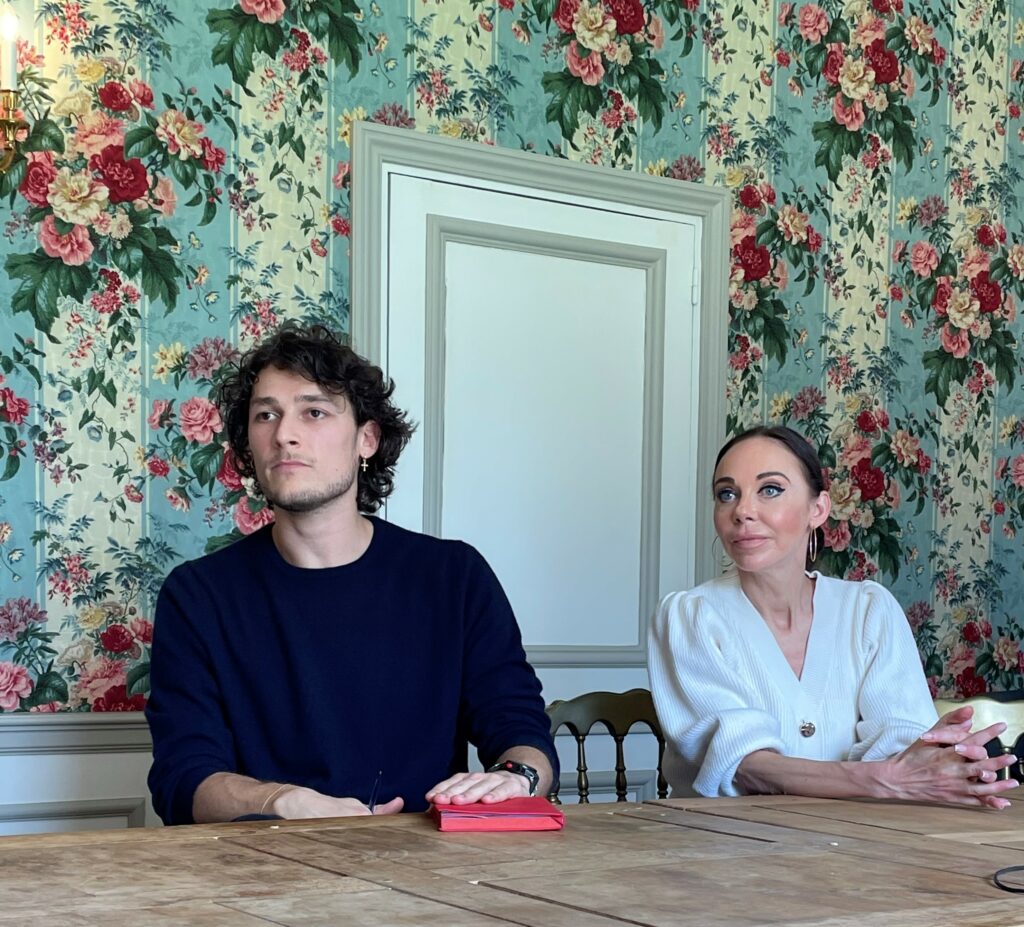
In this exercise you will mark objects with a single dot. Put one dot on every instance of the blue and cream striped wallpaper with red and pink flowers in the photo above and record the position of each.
(185, 187)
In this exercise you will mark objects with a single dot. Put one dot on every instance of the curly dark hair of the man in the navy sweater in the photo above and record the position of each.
(317, 354)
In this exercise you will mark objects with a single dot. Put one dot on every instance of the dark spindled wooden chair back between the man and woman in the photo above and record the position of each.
(618, 712)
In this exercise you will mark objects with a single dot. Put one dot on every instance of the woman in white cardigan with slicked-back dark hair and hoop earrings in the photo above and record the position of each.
(774, 680)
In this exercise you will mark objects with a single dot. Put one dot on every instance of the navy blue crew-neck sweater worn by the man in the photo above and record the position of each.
(324, 678)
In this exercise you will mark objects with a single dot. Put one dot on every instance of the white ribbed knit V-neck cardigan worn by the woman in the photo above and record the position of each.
(723, 688)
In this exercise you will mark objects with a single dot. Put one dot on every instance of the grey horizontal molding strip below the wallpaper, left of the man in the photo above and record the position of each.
(23, 735)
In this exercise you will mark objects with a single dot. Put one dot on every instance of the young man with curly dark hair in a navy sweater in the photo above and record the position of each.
(332, 659)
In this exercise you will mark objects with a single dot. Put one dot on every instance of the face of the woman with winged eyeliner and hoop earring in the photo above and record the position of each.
(765, 508)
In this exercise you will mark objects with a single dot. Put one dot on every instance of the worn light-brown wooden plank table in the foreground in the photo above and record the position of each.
(779, 861)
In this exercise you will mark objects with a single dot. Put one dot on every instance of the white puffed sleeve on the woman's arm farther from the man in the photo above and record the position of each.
(895, 704)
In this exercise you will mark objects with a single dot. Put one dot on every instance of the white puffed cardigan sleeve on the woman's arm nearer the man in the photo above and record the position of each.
(703, 697)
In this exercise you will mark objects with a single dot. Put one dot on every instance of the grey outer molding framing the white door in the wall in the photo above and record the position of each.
(379, 152)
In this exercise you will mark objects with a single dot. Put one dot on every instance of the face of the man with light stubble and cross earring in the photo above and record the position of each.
(305, 442)
